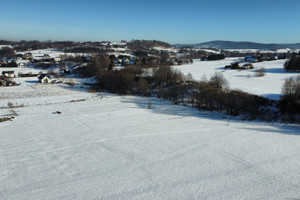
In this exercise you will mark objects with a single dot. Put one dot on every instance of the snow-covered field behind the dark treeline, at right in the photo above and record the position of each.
(269, 85)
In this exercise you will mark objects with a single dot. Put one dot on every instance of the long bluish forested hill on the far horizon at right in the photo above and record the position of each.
(240, 45)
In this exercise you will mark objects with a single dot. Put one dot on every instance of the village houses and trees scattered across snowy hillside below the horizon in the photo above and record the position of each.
(49, 60)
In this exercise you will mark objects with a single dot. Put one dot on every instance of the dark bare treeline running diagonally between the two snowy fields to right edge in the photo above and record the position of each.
(213, 94)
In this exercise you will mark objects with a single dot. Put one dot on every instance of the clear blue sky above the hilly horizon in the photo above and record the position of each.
(173, 21)
